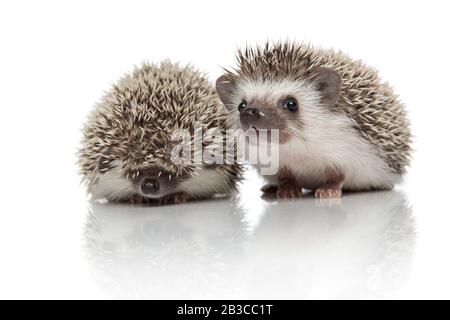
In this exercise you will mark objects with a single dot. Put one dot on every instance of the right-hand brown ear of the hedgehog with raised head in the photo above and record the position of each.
(328, 83)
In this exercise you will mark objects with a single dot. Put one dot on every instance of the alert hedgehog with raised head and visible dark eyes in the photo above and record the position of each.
(340, 127)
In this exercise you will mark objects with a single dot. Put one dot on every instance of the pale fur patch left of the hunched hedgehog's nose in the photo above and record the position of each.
(112, 185)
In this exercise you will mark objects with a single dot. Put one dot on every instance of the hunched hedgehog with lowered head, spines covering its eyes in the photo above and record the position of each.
(128, 146)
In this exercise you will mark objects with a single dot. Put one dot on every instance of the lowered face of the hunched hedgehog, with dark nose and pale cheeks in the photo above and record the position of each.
(130, 167)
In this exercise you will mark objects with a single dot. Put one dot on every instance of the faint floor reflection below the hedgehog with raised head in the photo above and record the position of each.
(357, 246)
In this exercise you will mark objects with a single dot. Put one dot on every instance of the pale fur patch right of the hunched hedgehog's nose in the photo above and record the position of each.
(207, 183)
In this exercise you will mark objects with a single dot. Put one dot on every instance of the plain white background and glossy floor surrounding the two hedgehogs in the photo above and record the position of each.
(58, 57)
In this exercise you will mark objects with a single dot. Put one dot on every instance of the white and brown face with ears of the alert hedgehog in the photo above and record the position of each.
(279, 103)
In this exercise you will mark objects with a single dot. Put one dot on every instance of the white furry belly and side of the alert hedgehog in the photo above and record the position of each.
(355, 158)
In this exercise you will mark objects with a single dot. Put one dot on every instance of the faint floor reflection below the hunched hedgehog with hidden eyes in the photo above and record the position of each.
(163, 252)
